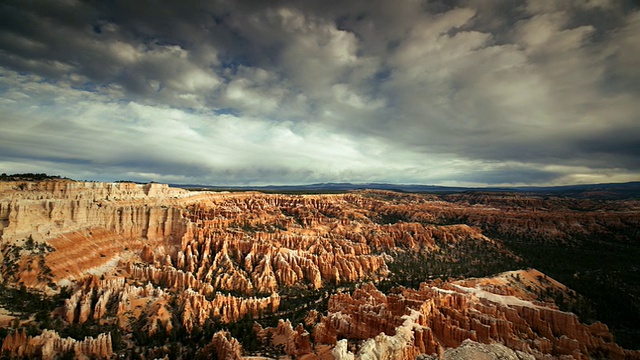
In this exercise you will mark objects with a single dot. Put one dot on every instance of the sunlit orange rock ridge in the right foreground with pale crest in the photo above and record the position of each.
(503, 309)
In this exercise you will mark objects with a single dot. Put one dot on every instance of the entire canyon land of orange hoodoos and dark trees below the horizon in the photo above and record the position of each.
(145, 271)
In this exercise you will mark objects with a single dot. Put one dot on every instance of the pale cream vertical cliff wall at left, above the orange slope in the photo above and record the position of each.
(46, 209)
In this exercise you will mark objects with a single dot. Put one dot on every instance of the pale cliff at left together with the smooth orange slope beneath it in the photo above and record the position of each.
(89, 226)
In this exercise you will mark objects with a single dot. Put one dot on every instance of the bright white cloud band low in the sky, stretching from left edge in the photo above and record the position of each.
(129, 136)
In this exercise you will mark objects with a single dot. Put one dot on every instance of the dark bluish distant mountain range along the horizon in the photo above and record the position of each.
(605, 191)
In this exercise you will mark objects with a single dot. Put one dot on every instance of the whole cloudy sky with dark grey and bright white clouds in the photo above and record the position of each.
(539, 92)
